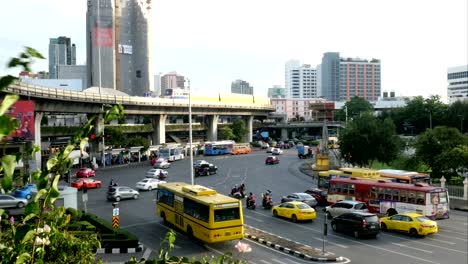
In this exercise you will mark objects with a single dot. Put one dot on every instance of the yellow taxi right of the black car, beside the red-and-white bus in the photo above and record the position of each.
(412, 223)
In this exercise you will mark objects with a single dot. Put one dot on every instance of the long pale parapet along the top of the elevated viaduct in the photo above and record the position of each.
(60, 94)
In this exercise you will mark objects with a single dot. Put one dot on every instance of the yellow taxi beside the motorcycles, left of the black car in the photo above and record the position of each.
(296, 211)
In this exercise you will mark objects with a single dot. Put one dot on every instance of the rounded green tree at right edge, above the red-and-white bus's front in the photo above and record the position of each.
(444, 150)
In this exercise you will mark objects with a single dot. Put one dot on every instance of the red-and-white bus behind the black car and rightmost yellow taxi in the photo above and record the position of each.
(390, 197)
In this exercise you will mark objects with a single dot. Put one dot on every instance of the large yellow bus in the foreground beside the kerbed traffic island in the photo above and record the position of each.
(200, 212)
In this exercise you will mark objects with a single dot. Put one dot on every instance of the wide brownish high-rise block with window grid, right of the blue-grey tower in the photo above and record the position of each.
(359, 77)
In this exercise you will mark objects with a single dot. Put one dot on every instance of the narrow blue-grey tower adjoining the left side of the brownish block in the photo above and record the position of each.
(330, 75)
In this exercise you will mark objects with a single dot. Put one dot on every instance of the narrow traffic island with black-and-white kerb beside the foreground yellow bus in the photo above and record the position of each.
(289, 246)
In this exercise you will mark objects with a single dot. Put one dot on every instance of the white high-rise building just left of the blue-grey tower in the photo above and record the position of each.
(301, 80)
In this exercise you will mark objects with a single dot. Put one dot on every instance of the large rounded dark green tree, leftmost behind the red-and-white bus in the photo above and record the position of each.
(366, 139)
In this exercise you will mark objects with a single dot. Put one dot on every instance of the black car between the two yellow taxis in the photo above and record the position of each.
(357, 223)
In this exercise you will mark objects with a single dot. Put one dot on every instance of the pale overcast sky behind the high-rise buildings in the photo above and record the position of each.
(214, 42)
